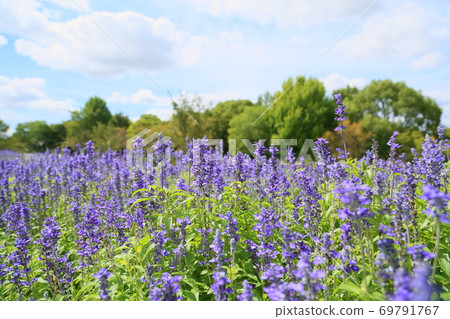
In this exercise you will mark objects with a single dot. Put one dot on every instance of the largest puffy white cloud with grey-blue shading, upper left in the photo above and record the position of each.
(80, 45)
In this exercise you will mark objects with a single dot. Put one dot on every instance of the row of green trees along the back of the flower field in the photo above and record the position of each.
(300, 110)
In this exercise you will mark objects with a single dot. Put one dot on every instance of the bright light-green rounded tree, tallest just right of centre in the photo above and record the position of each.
(302, 112)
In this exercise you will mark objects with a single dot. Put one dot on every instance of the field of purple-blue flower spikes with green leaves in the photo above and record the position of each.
(196, 225)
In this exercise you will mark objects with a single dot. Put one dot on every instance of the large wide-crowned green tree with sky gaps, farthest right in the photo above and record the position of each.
(385, 106)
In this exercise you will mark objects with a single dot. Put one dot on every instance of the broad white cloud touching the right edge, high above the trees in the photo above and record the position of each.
(406, 31)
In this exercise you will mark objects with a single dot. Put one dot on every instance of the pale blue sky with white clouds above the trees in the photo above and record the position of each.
(54, 55)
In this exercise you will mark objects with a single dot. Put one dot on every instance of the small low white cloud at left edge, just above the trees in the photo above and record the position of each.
(27, 92)
